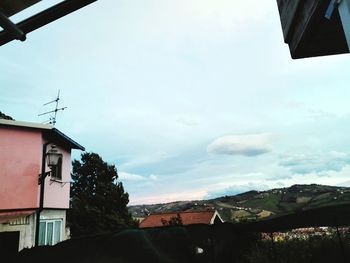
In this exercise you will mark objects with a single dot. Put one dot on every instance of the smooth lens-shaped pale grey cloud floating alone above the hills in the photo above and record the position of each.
(246, 145)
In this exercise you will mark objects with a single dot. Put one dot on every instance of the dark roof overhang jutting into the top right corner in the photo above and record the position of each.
(308, 32)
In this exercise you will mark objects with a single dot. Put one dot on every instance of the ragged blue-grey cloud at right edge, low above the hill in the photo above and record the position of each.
(320, 163)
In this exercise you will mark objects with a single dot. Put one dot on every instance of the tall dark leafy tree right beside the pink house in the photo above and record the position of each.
(98, 200)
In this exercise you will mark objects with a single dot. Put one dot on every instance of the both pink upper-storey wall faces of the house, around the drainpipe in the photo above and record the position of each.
(20, 162)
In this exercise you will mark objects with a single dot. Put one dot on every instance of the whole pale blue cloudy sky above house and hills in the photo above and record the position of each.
(190, 99)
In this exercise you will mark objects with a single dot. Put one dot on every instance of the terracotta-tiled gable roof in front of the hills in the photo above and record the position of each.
(187, 218)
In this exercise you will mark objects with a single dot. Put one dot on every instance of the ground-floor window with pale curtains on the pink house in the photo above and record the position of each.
(50, 232)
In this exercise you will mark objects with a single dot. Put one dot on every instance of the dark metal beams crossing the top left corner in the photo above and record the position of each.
(19, 31)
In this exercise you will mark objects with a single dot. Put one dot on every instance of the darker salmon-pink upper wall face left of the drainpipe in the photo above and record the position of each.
(20, 161)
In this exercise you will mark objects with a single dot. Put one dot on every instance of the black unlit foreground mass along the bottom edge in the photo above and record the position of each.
(198, 243)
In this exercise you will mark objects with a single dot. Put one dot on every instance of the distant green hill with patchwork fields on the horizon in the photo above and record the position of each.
(254, 205)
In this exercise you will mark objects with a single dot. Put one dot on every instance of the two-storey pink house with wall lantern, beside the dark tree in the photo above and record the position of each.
(23, 148)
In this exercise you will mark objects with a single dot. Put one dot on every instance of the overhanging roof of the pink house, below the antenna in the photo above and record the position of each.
(50, 133)
